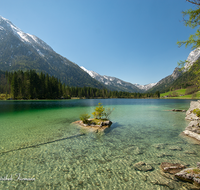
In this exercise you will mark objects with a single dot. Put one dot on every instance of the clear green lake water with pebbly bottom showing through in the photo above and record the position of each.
(38, 141)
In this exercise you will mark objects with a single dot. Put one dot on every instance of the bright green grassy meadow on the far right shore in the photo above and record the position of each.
(180, 94)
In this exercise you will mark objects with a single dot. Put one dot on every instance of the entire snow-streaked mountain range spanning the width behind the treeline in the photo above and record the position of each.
(23, 51)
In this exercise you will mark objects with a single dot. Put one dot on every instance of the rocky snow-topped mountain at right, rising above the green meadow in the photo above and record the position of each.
(168, 82)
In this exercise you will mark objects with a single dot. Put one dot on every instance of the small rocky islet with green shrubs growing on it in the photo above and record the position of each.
(100, 122)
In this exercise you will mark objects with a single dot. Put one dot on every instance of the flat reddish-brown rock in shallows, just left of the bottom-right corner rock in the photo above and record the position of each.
(171, 168)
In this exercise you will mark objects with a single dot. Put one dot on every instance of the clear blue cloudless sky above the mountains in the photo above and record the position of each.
(129, 39)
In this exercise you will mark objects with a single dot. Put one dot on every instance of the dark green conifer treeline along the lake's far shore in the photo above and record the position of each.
(31, 85)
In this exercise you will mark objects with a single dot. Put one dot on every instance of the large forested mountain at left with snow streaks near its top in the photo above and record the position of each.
(19, 50)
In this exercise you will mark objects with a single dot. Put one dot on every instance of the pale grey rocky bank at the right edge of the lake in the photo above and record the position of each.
(193, 129)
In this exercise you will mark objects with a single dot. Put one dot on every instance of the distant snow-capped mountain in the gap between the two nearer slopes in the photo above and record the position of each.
(118, 84)
